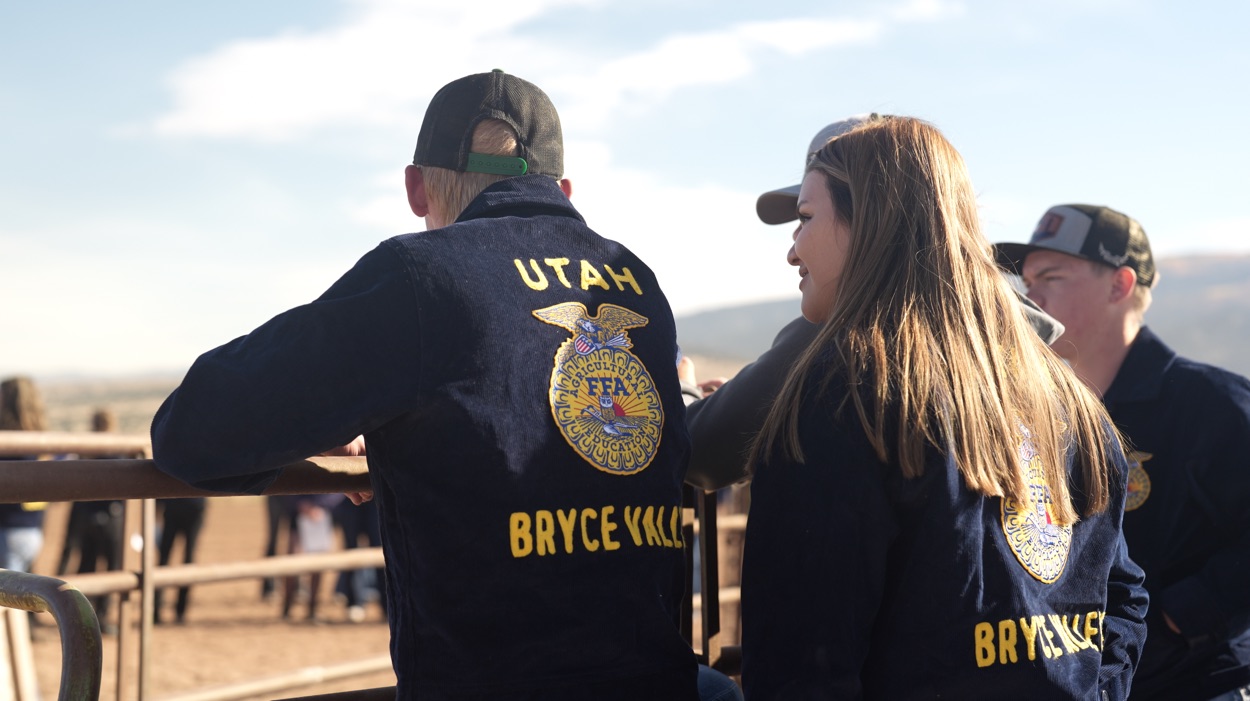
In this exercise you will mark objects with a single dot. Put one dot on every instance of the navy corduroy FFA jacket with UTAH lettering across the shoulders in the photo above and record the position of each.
(514, 378)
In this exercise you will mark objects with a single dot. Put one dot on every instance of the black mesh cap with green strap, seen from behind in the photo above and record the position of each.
(456, 111)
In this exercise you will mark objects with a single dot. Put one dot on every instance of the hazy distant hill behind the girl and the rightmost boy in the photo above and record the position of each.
(1202, 309)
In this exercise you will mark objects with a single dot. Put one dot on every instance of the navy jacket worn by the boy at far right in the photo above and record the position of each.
(1188, 517)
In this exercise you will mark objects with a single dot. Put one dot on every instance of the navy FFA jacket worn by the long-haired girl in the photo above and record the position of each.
(861, 584)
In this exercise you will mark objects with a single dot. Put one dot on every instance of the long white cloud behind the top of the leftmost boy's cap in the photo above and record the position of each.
(374, 69)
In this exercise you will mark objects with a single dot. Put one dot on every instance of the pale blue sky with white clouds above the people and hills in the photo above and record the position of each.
(173, 174)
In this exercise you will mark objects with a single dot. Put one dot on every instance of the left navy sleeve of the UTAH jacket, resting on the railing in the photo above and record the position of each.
(308, 380)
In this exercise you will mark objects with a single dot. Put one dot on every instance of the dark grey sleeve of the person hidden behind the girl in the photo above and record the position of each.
(723, 425)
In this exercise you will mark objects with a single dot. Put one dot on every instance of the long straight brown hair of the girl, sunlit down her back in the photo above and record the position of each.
(929, 336)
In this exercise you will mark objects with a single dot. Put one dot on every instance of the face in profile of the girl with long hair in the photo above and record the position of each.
(821, 247)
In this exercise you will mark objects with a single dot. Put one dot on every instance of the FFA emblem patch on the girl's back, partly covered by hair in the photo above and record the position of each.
(1038, 543)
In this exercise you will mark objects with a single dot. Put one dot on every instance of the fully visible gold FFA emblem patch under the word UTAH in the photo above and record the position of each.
(602, 397)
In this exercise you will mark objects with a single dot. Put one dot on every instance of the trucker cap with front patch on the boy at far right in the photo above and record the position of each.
(1093, 233)
